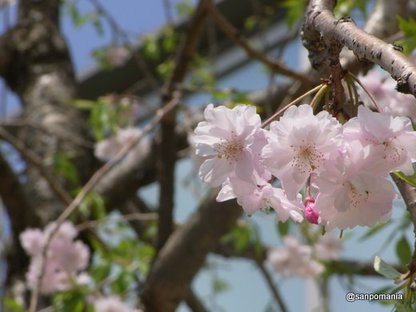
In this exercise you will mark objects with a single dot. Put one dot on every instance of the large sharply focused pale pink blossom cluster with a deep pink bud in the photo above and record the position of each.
(330, 173)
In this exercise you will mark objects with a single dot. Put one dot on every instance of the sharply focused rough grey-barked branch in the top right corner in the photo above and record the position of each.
(322, 32)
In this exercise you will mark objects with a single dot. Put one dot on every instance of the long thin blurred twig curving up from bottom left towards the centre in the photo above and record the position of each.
(97, 176)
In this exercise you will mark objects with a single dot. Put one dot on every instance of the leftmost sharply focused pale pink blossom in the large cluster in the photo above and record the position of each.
(226, 139)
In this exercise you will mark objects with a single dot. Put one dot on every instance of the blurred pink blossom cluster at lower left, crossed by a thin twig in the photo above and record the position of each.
(65, 259)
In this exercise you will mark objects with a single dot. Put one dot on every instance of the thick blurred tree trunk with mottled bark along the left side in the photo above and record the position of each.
(37, 66)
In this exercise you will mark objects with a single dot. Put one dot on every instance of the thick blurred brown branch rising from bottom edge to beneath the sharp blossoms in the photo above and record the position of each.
(184, 253)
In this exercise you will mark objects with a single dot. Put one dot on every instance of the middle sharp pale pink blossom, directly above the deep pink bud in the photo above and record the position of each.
(300, 144)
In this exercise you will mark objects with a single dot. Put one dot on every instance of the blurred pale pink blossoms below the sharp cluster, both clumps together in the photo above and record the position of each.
(295, 259)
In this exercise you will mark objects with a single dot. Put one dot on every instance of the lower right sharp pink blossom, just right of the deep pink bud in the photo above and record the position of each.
(349, 195)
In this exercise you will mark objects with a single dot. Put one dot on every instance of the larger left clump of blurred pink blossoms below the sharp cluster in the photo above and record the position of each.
(294, 259)
